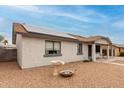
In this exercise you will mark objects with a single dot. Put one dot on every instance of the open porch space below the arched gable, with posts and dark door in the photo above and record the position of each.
(100, 51)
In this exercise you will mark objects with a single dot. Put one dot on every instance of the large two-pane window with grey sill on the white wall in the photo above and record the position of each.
(52, 48)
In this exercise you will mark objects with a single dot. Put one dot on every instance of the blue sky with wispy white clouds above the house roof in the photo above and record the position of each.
(81, 20)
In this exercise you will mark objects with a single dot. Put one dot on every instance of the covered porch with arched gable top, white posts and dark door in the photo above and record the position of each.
(100, 49)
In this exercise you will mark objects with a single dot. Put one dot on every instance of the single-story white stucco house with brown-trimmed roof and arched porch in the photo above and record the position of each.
(37, 46)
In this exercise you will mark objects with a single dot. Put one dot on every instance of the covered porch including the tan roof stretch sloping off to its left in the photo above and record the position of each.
(99, 47)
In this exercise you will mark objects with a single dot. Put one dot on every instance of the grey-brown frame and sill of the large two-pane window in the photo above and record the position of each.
(52, 55)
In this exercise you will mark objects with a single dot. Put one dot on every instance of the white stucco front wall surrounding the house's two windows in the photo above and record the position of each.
(33, 50)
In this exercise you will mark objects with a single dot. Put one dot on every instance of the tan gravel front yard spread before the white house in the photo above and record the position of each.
(86, 75)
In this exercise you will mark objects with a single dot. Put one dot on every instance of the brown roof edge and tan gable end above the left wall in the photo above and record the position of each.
(20, 29)
